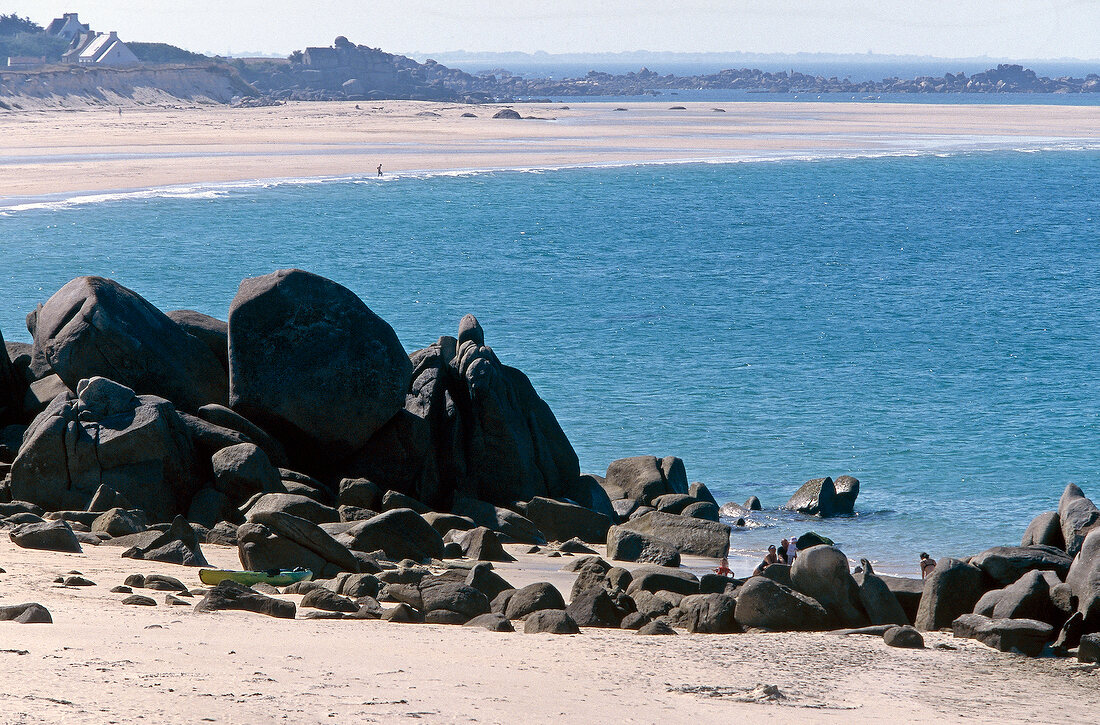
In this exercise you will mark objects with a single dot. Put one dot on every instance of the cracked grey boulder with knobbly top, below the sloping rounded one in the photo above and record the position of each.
(106, 435)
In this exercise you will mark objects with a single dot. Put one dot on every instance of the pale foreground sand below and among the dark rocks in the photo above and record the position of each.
(103, 662)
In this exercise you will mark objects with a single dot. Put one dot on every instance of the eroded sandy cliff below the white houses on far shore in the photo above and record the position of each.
(82, 87)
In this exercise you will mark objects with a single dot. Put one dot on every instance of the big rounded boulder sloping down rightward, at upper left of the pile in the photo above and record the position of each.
(97, 327)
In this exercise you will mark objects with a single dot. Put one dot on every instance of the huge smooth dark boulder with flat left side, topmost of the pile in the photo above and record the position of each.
(311, 364)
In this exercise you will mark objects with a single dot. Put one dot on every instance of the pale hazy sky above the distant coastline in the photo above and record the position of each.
(1019, 29)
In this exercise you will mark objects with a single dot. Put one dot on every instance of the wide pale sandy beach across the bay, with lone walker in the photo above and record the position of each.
(59, 152)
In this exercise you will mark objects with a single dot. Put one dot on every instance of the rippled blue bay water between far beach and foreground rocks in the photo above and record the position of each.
(929, 324)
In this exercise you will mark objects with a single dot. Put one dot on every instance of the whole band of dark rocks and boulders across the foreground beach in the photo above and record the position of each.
(303, 435)
